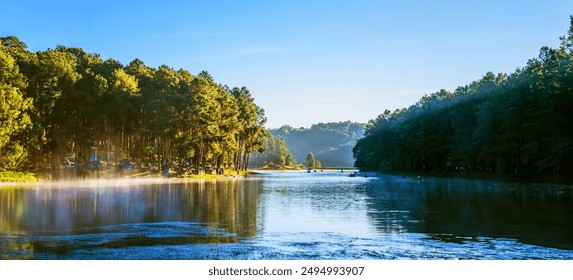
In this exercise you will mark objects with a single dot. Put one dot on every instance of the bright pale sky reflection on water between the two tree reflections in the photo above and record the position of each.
(316, 202)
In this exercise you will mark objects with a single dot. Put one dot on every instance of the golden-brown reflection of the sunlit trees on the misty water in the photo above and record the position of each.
(53, 222)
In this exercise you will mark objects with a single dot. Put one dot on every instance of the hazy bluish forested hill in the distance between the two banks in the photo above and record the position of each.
(331, 143)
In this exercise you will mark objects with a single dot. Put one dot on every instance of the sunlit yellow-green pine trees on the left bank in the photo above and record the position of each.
(63, 105)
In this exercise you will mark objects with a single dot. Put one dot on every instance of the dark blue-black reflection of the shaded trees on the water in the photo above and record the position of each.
(460, 210)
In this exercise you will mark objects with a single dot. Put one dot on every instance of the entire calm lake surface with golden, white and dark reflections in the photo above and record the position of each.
(288, 215)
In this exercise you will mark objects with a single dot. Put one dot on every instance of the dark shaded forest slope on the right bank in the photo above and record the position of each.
(517, 126)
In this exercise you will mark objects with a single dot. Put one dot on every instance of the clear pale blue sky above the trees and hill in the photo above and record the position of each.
(305, 61)
